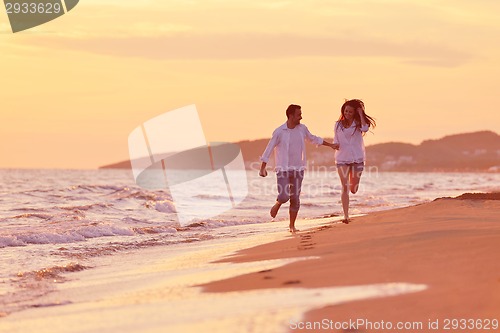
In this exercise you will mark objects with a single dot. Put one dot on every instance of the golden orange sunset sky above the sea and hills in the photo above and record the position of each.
(73, 89)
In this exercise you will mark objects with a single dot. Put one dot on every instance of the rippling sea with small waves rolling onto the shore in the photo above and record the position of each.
(54, 222)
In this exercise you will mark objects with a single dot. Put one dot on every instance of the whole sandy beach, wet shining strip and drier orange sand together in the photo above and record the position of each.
(423, 264)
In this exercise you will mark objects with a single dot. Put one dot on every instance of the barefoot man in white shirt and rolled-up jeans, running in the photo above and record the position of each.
(288, 143)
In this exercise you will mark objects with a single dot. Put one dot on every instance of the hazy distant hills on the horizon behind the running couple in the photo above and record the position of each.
(478, 151)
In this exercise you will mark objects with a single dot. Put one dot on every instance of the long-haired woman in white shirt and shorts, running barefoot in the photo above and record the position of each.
(350, 157)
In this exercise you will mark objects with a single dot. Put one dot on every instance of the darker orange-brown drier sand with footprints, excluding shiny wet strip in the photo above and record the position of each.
(450, 245)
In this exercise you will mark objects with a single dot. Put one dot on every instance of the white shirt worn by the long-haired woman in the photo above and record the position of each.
(351, 145)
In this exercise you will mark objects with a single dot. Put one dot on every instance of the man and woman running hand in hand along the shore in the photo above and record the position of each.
(288, 144)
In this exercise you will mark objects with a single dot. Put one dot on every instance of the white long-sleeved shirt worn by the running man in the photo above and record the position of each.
(290, 152)
